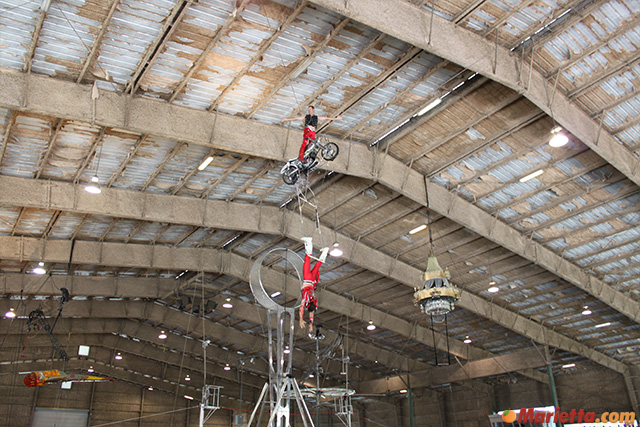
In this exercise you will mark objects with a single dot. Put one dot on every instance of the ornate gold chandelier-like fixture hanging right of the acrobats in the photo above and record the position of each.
(437, 297)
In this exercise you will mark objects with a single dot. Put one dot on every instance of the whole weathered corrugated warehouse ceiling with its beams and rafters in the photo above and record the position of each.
(139, 93)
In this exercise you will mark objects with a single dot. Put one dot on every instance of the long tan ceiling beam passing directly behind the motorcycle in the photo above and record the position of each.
(51, 96)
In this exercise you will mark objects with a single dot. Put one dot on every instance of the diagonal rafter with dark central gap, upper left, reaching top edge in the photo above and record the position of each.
(155, 49)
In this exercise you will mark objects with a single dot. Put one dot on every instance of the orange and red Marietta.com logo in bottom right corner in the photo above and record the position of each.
(529, 415)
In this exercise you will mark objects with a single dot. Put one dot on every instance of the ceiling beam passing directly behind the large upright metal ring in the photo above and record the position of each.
(210, 260)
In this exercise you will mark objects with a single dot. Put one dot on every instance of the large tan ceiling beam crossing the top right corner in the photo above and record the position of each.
(403, 20)
